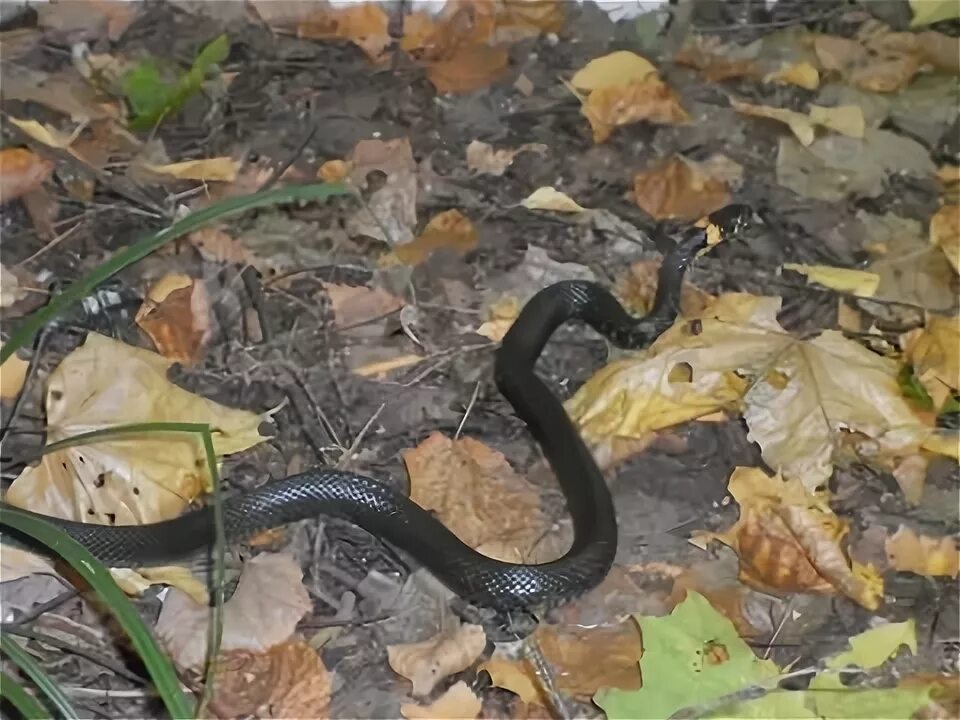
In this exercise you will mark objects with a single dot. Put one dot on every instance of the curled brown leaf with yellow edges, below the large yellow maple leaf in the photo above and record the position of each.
(789, 539)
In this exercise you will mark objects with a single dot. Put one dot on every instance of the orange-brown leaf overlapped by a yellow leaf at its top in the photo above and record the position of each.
(649, 99)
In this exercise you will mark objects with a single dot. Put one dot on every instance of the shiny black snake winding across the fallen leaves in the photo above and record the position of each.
(390, 515)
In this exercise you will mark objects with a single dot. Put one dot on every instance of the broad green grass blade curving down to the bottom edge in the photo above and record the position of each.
(157, 663)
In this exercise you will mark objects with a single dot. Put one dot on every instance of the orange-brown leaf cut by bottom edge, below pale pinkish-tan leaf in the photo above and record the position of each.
(287, 681)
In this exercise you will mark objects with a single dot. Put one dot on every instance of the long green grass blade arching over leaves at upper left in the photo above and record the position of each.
(139, 250)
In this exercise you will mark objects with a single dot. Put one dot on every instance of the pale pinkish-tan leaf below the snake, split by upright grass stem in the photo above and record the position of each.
(269, 601)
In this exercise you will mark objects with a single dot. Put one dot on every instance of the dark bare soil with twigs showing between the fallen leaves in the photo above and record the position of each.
(297, 103)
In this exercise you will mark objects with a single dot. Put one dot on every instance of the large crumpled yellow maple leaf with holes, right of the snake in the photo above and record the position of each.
(799, 397)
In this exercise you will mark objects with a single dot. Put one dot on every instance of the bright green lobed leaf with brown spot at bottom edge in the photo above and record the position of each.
(692, 656)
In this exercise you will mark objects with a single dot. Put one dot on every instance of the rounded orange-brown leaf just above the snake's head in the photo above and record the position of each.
(678, 189)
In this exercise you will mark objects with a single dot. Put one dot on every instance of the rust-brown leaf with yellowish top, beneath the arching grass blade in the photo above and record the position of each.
(176, 315)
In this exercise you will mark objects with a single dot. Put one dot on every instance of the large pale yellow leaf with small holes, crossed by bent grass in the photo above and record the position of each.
(134, 479)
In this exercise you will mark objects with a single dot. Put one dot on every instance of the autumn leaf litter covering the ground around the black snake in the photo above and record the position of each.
(454, 128)
